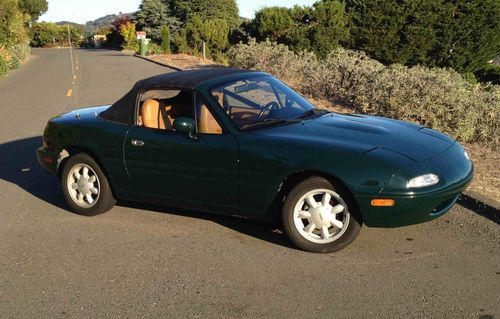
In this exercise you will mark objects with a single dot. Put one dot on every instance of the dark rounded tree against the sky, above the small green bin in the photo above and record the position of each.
(152, 16)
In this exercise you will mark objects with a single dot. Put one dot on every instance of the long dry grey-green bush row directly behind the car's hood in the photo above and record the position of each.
(438, 98)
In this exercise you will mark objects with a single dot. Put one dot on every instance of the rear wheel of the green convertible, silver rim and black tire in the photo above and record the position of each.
(85, 187)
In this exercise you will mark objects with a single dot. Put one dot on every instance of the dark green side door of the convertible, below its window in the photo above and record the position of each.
(174, 168)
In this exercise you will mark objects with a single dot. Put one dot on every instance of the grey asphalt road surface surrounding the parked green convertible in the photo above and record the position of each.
(156, 262)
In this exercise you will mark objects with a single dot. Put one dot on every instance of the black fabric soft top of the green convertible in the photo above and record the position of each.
(122, 110)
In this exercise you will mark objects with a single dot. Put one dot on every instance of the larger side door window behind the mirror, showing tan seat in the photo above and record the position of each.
(159, 108)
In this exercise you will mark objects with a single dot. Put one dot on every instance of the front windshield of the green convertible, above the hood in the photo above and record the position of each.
(262, 100)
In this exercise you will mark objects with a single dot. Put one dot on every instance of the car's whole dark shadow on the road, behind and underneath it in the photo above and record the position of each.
(19, 166)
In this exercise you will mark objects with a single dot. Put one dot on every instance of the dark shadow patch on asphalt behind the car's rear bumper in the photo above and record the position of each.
(19, 166)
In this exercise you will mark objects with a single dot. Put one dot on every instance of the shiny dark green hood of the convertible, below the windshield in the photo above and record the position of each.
(362, 133)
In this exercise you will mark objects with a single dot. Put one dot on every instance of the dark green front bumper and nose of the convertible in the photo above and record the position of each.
(425, 205)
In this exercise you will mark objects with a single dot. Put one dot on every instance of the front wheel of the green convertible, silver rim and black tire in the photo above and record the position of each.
(320, 217)
